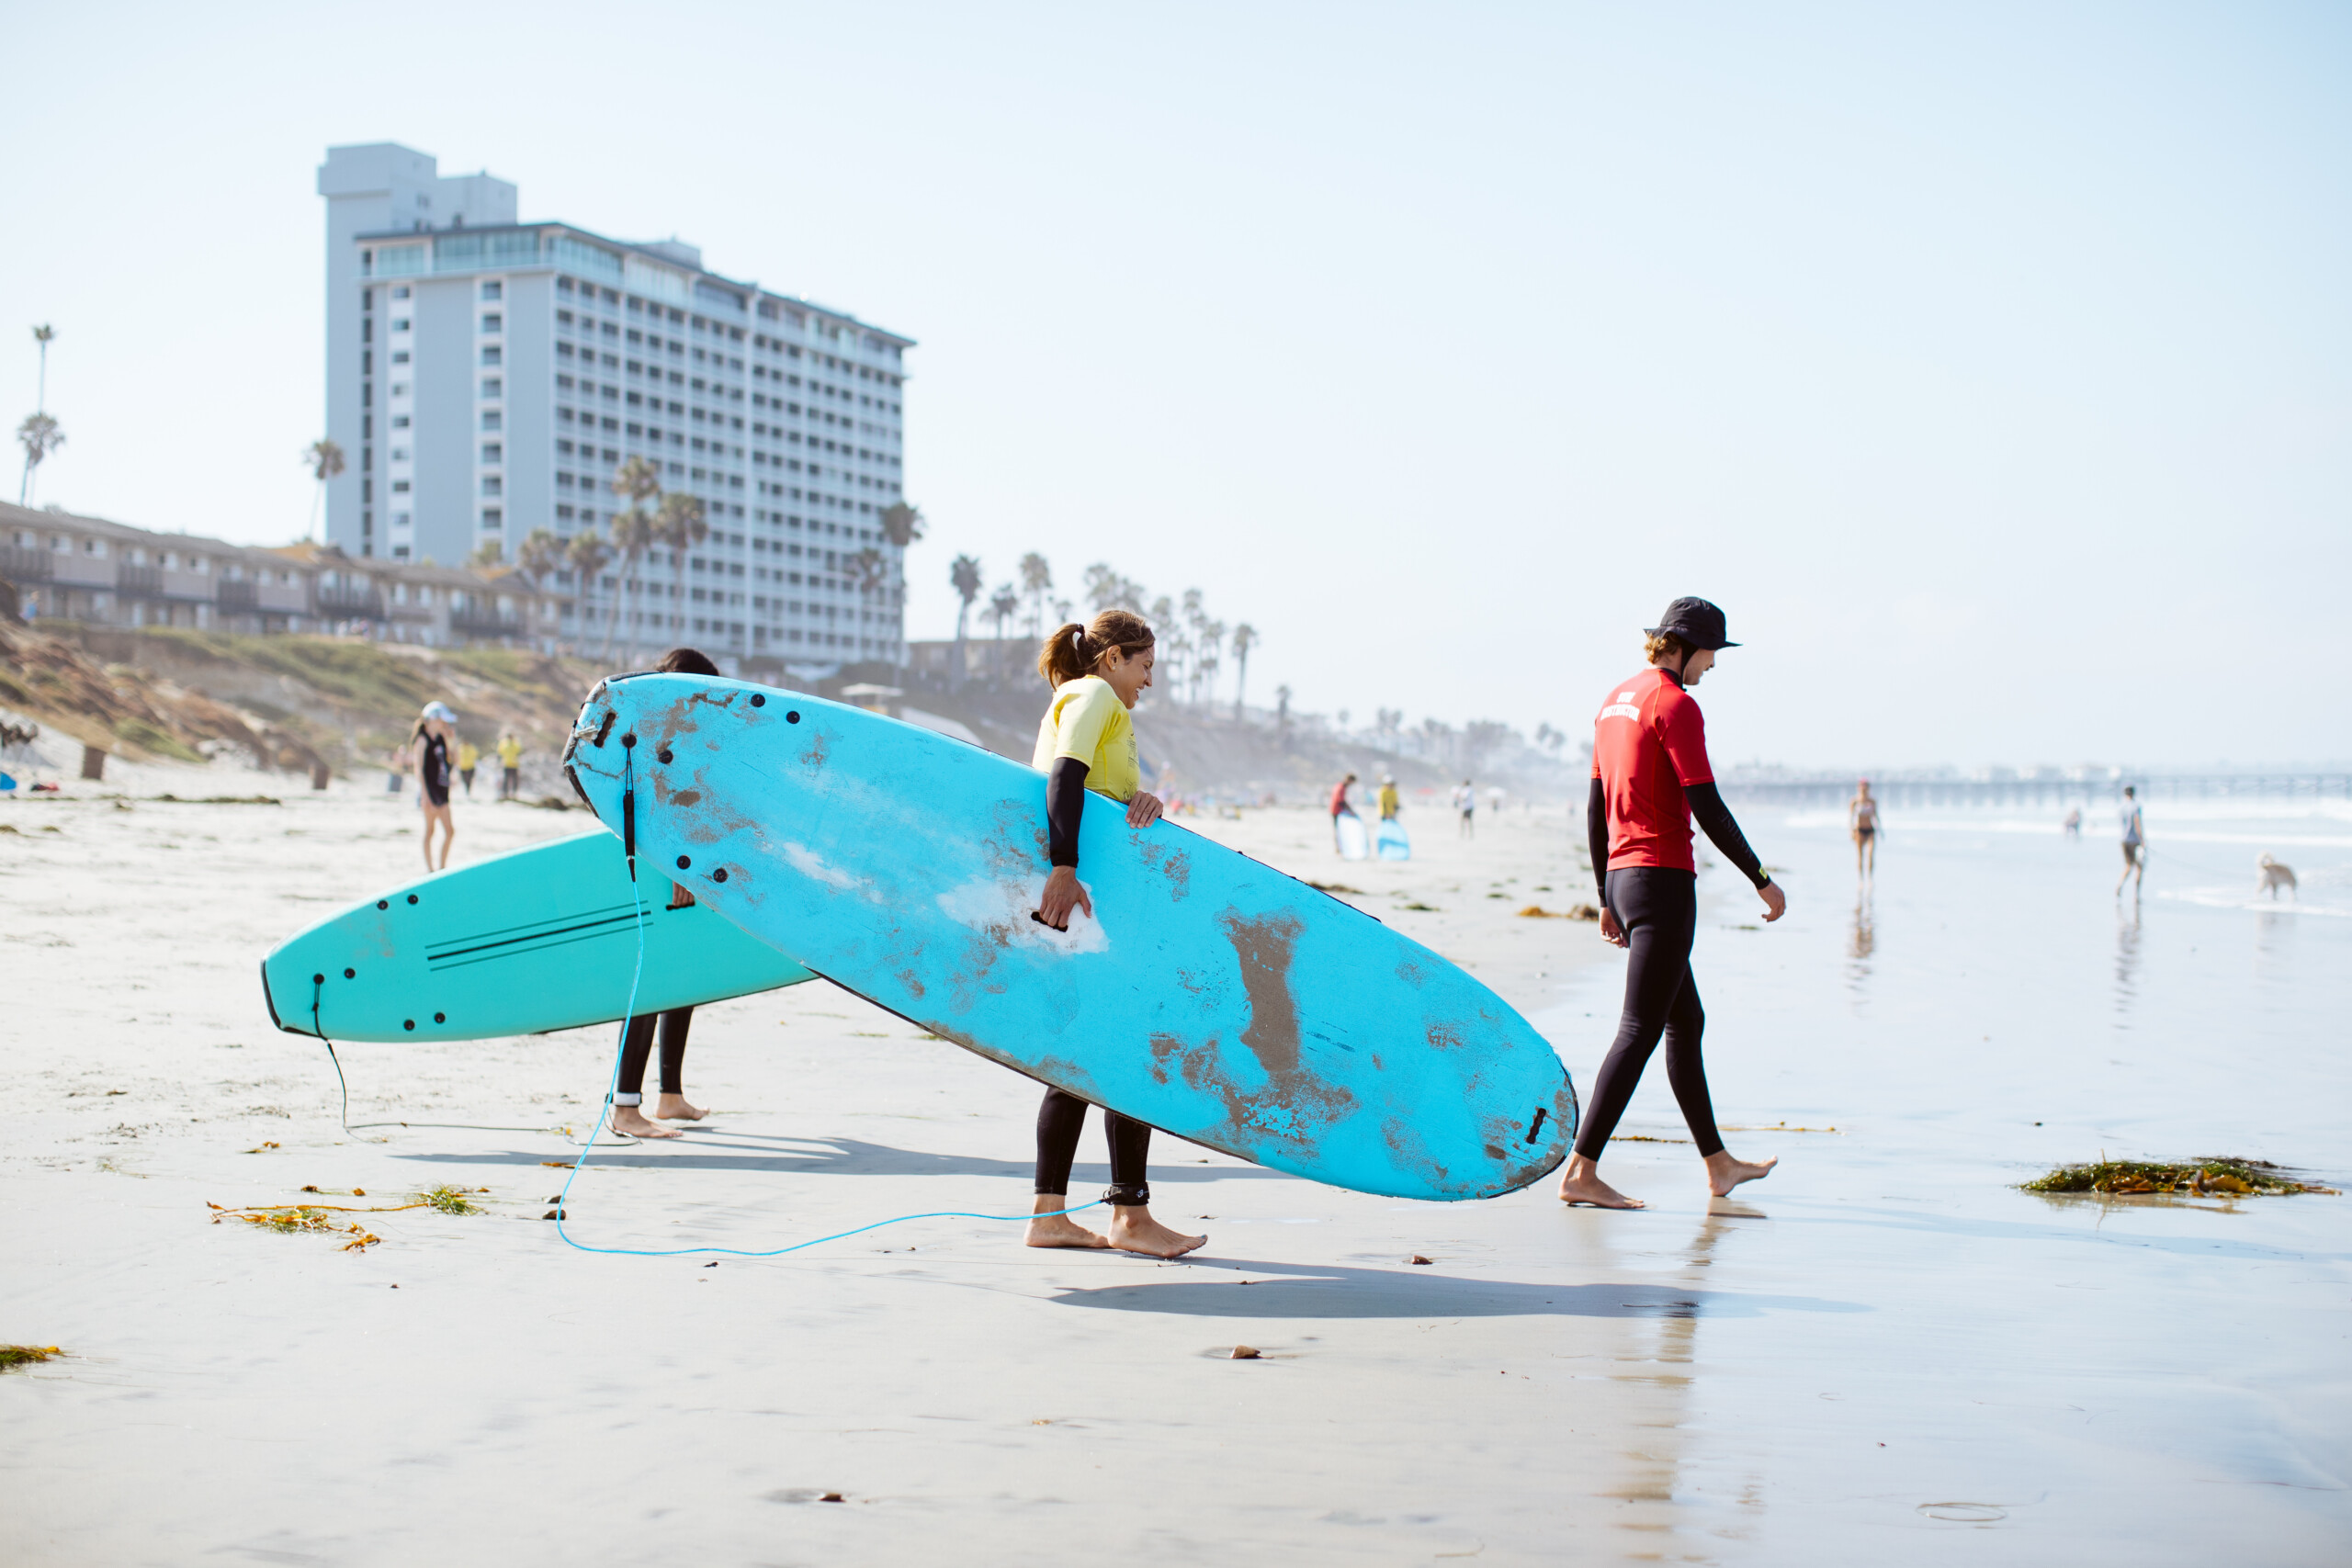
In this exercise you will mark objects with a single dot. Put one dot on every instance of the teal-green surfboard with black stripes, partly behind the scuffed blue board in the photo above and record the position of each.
(537, 939)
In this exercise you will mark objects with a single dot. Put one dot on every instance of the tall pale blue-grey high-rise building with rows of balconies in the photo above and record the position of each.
(488, 380)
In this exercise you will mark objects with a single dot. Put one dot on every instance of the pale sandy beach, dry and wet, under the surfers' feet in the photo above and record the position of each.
(1880, 1353)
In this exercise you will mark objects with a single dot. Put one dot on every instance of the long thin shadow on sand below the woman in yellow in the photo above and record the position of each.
(1337, 1292)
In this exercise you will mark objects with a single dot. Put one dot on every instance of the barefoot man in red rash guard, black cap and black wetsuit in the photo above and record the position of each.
(1650, 779)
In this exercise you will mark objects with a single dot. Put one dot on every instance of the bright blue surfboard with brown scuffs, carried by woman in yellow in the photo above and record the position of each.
(1210, 996)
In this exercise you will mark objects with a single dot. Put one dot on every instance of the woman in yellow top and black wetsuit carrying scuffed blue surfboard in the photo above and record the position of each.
(1088, 742)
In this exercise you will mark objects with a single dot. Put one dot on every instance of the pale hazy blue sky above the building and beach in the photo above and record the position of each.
(1989, 363)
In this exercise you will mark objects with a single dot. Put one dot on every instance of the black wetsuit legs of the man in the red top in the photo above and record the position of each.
(1659, 911)
